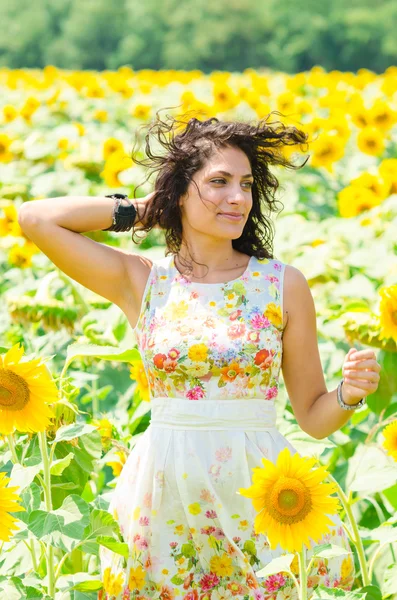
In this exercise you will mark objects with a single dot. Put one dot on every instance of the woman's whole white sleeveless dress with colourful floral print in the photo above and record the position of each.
(212, 354)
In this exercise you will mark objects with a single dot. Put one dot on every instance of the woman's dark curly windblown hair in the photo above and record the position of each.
(189, 145)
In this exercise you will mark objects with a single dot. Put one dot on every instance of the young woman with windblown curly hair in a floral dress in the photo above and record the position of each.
(215, 320)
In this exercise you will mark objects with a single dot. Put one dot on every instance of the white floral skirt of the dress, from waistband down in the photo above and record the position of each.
(190, 535)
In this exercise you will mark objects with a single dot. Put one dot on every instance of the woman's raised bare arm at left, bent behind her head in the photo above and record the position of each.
(56, 226)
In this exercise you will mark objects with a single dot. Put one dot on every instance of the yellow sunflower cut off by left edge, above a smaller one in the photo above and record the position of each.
(26, 389)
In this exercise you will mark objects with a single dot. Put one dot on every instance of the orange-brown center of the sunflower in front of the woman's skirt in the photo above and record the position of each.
(289, 501)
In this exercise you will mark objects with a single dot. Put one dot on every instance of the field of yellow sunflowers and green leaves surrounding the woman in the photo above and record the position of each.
(74, 395)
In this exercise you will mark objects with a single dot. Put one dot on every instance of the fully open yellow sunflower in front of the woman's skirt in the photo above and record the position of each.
(291, 500)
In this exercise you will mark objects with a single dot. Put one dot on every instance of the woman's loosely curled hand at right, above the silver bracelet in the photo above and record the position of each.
(360, 374)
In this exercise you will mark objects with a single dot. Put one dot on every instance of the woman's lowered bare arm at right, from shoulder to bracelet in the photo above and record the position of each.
(316, 410)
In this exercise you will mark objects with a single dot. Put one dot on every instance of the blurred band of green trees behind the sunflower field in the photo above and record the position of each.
(224, 35)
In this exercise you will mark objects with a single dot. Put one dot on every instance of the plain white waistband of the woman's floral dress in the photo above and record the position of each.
(244, 414)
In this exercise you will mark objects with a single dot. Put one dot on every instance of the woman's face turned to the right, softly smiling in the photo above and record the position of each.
(221, 192)
